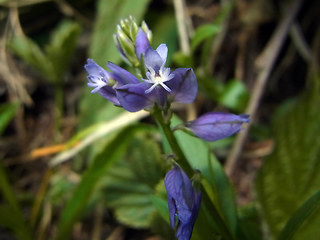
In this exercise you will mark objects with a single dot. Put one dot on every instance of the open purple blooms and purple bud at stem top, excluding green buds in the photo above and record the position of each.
(160, 87)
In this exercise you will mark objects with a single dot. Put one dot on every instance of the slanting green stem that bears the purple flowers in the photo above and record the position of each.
(210, 209)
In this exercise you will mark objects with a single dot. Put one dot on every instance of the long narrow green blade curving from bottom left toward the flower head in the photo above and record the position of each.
(80, 197)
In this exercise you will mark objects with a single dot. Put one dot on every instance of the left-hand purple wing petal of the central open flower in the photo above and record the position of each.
(132, 97)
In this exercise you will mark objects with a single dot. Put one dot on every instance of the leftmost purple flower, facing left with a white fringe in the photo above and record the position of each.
(105, 82)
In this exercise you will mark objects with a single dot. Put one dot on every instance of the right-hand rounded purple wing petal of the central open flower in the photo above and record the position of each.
(184, 85)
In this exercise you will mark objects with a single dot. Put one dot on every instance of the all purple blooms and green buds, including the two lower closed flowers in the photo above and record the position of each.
(158, 88)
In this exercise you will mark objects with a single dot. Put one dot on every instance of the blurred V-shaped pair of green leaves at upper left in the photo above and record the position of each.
(54, 61)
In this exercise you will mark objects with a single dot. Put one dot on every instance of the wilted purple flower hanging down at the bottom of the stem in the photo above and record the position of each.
(183, 201)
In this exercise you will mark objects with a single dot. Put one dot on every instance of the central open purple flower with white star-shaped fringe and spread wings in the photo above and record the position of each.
(161, 86)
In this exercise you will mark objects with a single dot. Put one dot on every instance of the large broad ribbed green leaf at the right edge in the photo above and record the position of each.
(290, 175)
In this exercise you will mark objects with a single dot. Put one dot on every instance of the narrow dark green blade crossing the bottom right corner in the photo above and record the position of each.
(300, 217)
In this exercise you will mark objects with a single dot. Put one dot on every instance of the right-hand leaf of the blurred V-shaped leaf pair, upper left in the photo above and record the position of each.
(61, 49)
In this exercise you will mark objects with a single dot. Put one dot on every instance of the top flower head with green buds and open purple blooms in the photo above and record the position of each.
(159, 87)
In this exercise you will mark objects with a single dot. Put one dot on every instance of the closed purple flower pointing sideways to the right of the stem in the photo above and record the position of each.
(214, 126)
